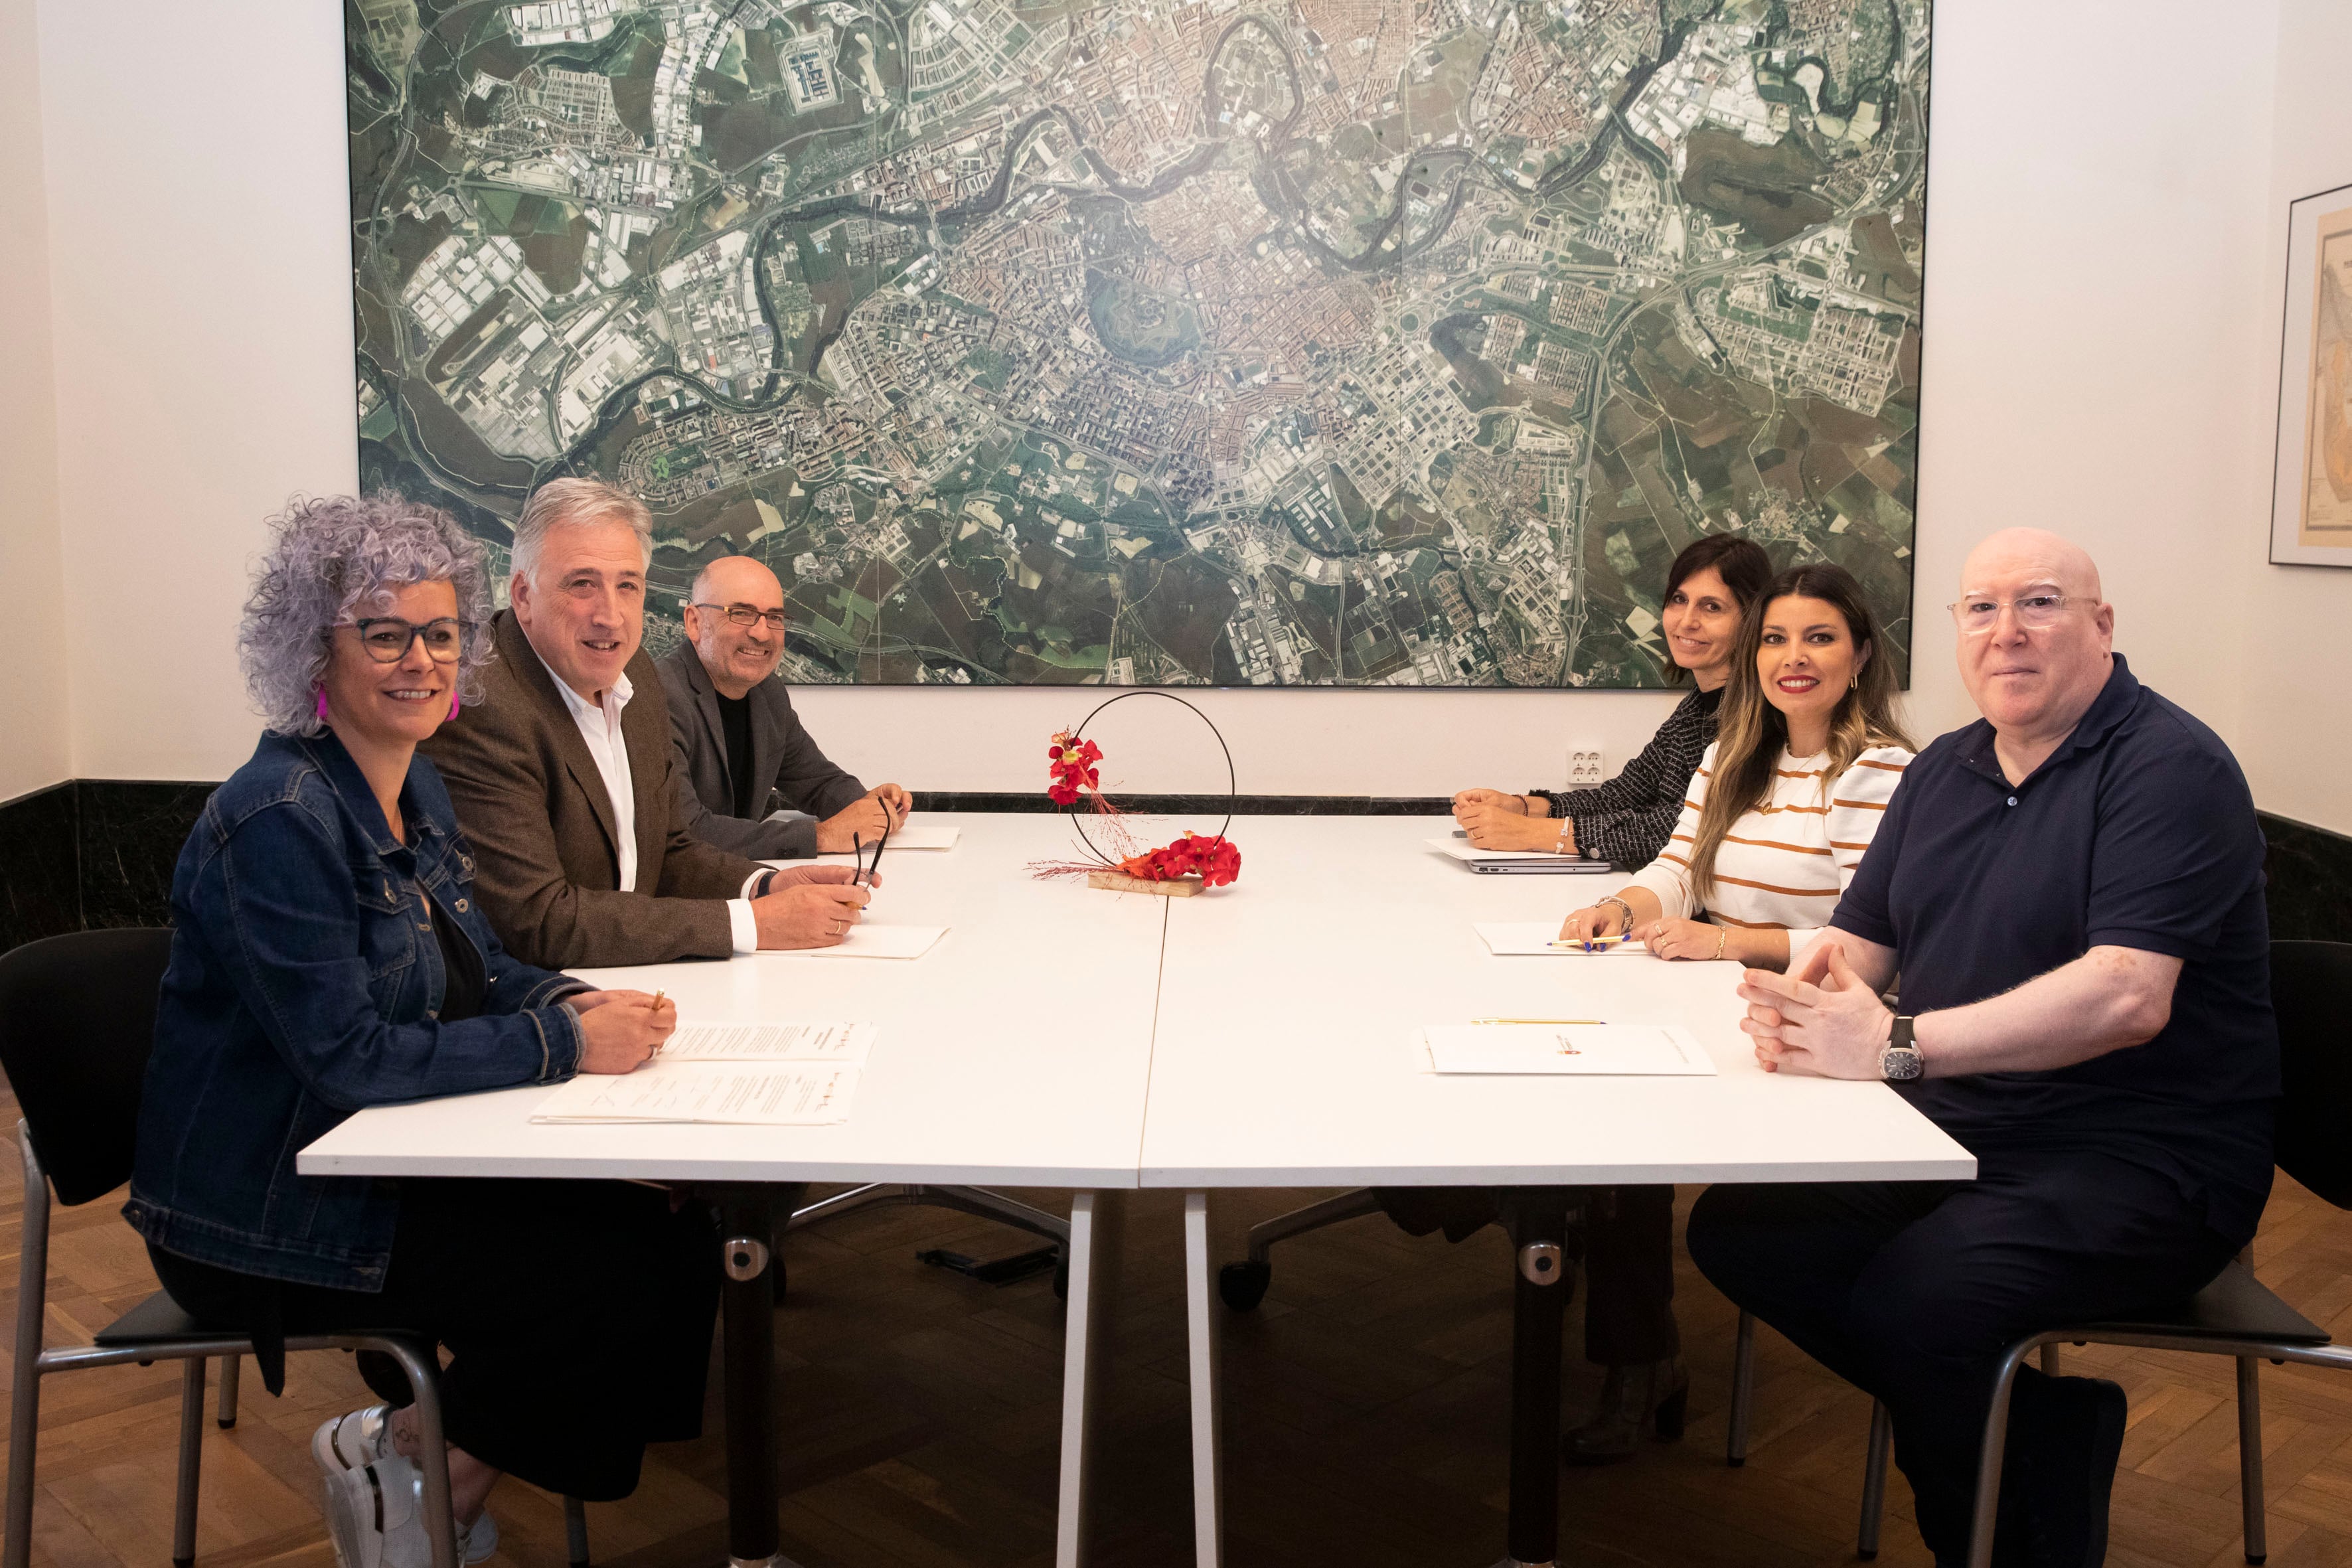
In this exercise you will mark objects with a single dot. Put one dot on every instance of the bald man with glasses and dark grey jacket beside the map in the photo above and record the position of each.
(737, 739)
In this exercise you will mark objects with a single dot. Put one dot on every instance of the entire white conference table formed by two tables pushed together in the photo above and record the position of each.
(1248, 1038)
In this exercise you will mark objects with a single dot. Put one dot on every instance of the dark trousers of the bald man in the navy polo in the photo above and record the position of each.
(1911, 1292)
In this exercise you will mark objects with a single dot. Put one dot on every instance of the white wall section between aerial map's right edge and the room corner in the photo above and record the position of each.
(2094, 319)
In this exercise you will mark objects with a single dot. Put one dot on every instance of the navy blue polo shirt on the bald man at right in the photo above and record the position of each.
(2137, 833)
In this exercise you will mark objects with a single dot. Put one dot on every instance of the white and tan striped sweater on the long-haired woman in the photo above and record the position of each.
(1784, 864)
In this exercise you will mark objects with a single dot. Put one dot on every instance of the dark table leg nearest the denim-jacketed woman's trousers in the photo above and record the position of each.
(749, 1320)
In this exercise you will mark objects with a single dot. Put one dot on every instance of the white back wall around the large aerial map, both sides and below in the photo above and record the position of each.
(2102, 340)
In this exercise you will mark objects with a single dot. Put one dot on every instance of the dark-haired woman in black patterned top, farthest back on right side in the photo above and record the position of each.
(1629, 817)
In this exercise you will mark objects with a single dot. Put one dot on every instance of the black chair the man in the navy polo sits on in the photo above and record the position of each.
(2236, 1315)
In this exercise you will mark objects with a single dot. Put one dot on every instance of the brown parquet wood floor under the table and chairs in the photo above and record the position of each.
(1365, 1421)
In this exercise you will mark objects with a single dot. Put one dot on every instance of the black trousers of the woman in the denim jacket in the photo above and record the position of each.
(577, 1320)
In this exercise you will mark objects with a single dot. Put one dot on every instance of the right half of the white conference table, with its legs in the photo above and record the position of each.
(1285, 1059)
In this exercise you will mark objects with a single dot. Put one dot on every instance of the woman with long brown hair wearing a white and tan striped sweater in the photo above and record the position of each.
(1777, 819)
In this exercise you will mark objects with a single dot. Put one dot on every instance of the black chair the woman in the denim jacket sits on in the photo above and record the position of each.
(76, 1024)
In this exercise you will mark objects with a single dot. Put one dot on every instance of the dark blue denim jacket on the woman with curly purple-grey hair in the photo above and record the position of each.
(305, 986)
